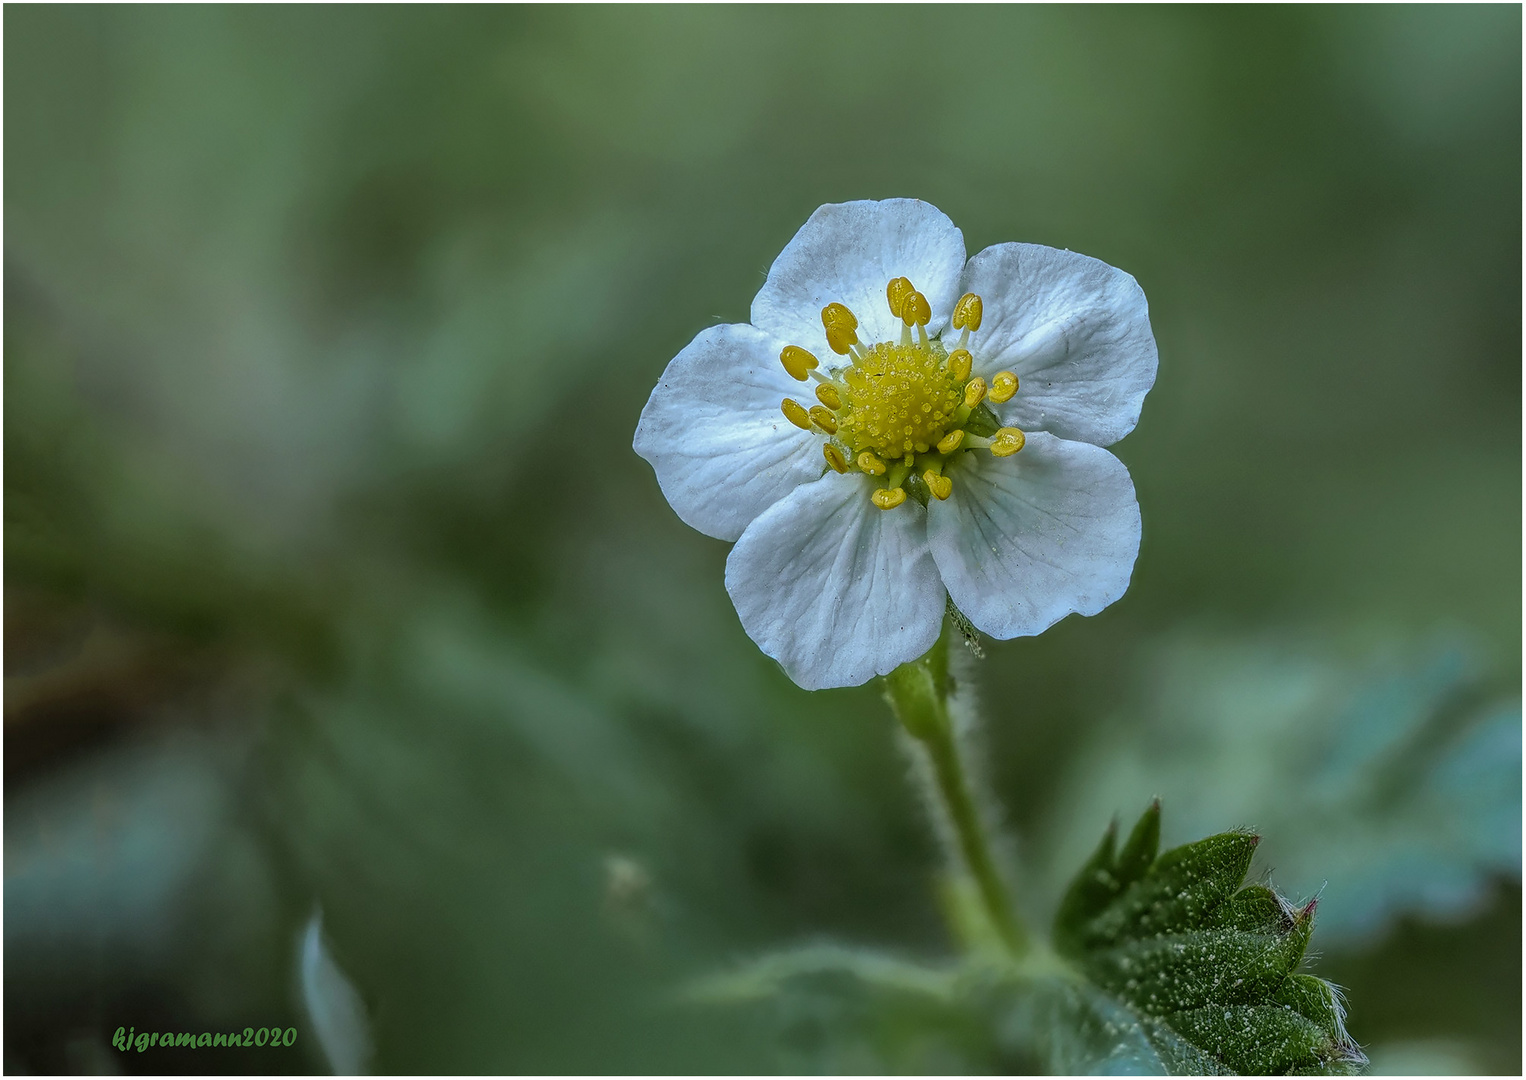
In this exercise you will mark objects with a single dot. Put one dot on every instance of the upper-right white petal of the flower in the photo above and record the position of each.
(1077, 333)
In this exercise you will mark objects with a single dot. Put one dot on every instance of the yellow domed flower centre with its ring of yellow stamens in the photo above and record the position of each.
(903, 410)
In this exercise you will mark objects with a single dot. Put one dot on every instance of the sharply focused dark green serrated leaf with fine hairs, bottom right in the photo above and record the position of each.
(1183, 969)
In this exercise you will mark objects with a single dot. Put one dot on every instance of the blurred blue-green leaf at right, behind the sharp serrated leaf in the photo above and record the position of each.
(1400, 770)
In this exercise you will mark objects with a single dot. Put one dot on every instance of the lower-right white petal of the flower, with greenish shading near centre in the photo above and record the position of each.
(1026, 541)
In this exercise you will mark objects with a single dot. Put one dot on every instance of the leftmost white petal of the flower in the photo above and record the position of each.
(713, 431)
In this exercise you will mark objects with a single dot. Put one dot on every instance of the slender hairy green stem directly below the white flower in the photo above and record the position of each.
(918, 695)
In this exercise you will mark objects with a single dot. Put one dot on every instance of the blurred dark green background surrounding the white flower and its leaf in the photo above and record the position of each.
(335, 587)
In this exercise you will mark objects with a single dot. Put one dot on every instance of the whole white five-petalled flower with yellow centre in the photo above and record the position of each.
(903, 483)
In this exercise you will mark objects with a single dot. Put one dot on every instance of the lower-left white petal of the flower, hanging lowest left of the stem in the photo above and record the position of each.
(834, 588)
